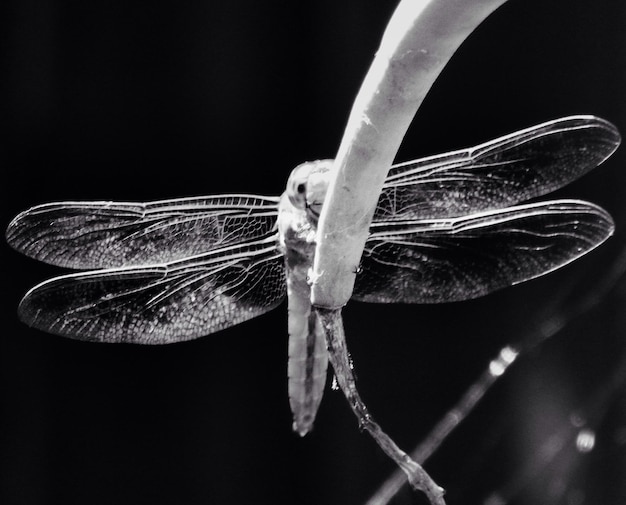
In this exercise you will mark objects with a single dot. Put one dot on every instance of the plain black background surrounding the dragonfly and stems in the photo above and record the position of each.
(151, 100)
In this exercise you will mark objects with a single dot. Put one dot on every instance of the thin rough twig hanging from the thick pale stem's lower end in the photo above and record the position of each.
(338, 355)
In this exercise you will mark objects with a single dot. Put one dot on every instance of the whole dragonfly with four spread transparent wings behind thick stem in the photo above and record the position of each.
(446, 228)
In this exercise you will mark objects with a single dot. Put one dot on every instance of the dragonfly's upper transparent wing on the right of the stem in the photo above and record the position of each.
(499, 173)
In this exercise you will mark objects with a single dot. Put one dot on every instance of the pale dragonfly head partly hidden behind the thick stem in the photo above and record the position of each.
(307, 186)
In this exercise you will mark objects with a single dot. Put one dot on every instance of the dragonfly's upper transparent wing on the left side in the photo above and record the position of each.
(91, 235)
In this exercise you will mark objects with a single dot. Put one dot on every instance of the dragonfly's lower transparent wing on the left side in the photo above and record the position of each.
(160, 304)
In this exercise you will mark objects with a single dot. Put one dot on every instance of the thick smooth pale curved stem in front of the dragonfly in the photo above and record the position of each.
(420, 39)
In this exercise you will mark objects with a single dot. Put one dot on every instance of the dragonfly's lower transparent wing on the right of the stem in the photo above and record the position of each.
(438, 260)
